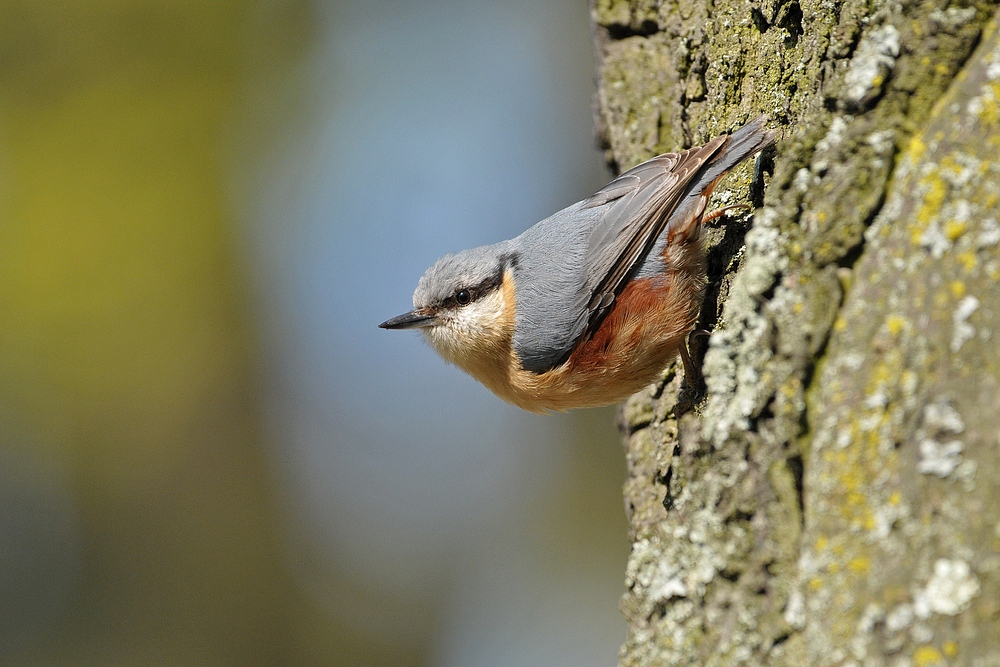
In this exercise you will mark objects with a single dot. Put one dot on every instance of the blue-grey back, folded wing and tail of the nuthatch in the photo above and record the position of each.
(583, 256)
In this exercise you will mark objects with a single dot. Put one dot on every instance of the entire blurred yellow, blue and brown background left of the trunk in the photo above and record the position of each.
(209, 454)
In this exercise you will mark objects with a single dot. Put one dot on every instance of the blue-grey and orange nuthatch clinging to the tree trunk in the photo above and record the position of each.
(589, 305)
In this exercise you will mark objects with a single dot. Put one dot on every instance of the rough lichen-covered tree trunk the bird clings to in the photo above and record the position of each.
(834, 498)
